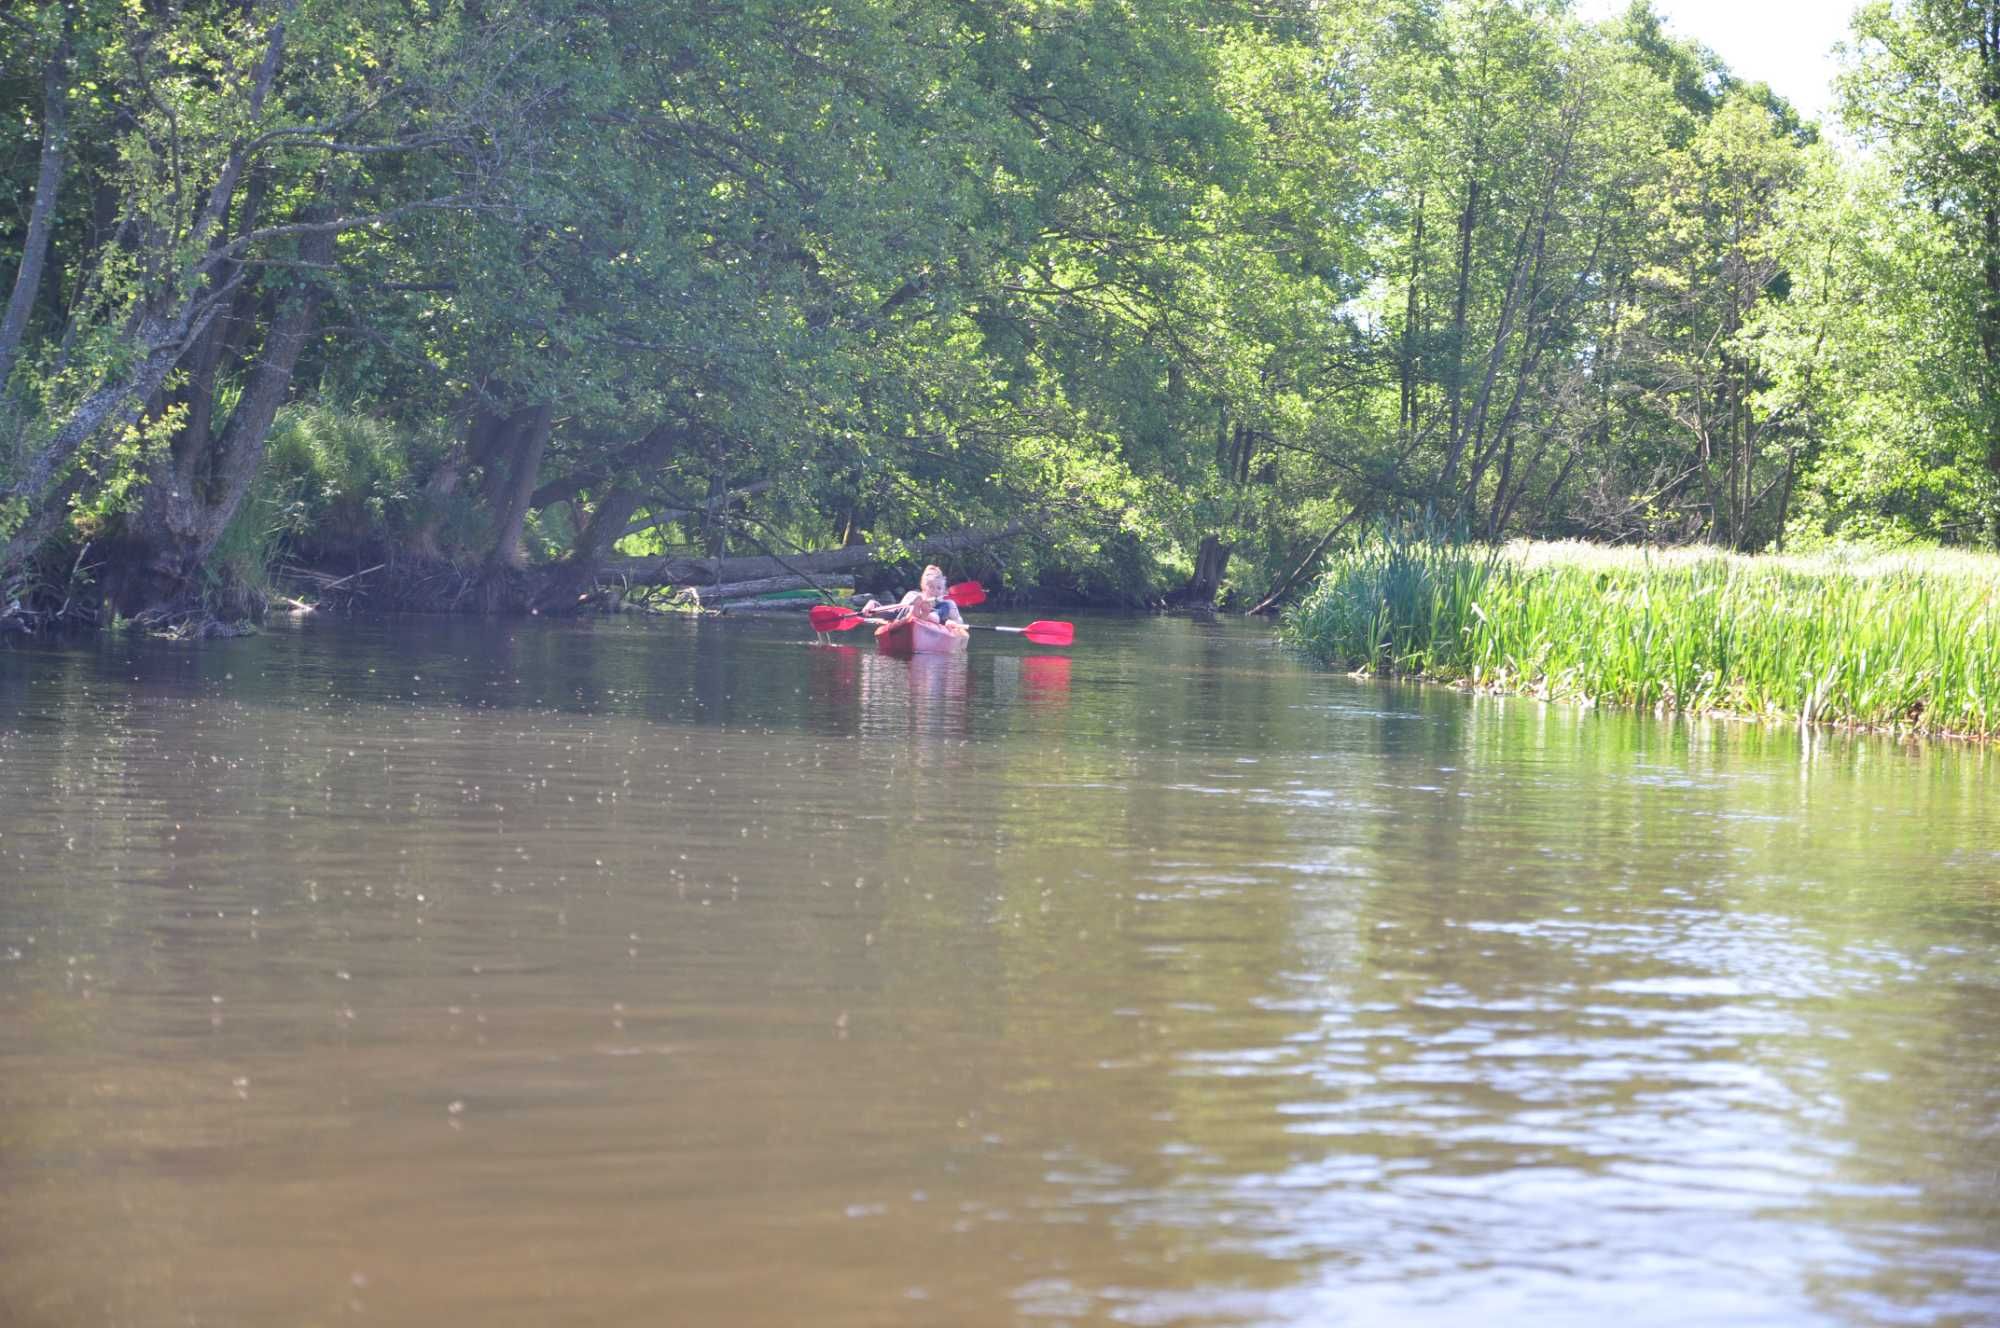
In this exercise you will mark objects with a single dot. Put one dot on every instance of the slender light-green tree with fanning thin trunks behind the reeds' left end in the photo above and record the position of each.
(1523, 147)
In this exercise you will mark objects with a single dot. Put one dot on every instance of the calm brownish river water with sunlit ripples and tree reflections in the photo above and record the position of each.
(635, 973)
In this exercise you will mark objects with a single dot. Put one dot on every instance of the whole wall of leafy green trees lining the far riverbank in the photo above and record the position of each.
(1155, 297)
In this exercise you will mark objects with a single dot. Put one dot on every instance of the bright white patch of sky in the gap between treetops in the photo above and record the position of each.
(1785, 43)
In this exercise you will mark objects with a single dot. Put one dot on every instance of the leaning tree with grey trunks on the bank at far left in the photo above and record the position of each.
(235, 149)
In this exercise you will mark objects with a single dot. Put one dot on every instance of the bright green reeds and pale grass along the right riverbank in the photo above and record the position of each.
(1905, 643)
